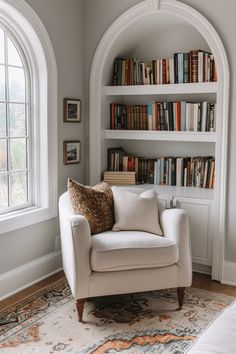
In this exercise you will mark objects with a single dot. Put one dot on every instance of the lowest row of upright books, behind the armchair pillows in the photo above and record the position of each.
(168, 171)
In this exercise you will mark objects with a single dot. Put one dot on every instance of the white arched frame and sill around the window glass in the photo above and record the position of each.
(27, 29)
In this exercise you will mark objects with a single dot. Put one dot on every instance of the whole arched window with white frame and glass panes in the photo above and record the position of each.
(28, 119)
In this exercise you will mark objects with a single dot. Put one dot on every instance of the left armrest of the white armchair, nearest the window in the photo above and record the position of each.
(76, 246)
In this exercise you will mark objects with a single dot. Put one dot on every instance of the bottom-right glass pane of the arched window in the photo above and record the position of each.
(18, 188)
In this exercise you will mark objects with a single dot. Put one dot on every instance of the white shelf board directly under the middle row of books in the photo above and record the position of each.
(155, 135)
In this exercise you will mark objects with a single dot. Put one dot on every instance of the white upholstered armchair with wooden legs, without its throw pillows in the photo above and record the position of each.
(116, 263)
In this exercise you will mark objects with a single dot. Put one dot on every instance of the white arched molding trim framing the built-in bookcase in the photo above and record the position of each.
(102, 54)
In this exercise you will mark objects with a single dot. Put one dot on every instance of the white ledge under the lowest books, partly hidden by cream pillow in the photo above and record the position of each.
(185, 192)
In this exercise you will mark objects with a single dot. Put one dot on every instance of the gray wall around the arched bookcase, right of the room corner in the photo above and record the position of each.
(99, 15)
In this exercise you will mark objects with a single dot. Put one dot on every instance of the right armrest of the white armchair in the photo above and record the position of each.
(175, 226)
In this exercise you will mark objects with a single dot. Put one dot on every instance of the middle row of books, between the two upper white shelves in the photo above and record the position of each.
(171, 116)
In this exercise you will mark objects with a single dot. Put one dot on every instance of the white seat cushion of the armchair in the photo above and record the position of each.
(131, 250)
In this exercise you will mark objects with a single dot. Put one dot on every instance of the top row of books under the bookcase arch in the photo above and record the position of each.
(194, 66)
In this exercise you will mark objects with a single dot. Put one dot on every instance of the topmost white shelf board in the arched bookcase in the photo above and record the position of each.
(196, 88)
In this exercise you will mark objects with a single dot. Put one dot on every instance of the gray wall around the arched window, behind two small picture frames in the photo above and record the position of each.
(63, 22)
